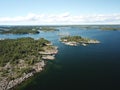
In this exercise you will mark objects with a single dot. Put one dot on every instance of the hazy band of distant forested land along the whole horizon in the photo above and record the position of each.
(37, 29)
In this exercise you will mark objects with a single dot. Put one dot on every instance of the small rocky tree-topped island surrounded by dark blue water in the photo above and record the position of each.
(77, 40)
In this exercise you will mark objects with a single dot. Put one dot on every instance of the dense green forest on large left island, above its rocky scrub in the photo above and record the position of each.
(11, 50)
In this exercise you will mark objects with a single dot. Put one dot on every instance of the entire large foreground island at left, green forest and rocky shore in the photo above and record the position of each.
(21, 58)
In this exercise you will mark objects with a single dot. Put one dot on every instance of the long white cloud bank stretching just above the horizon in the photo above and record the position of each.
(63, 18)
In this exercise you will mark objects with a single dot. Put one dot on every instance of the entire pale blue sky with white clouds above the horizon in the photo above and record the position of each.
(59, 12)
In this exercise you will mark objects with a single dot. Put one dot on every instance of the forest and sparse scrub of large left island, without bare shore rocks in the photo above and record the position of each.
(22, 55)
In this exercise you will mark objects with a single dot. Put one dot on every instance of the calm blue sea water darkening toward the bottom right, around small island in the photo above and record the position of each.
(94, 67)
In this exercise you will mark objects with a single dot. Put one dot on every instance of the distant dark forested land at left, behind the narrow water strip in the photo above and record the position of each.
(26, 29)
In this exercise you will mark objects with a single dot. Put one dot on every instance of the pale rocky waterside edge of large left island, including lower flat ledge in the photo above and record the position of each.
(7, 84)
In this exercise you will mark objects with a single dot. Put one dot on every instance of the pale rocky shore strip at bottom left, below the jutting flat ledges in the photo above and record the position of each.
(7, 84)
